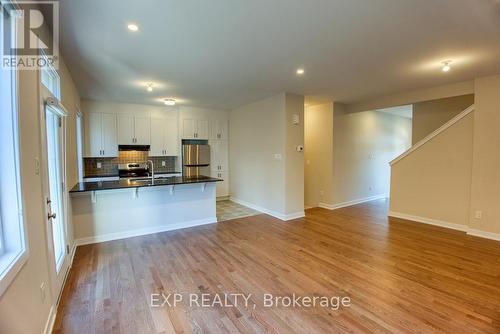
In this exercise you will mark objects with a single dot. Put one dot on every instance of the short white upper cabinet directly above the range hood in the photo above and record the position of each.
(134, 130)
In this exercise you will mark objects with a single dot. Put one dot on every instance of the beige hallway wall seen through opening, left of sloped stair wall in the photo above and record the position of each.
(363, 145)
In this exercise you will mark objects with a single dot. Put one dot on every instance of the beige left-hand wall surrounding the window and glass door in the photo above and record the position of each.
(21, 307)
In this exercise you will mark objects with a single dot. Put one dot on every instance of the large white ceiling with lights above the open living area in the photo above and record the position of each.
(226, 53)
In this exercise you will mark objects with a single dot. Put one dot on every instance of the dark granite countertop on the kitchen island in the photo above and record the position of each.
(127, 183)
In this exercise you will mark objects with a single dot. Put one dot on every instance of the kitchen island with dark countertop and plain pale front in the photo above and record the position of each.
(111, 210)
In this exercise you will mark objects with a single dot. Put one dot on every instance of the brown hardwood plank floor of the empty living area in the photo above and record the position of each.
(401, 277)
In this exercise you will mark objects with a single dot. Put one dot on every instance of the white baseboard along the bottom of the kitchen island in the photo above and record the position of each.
(143, 231)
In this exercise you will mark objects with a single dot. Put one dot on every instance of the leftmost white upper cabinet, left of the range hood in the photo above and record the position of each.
(100, 135)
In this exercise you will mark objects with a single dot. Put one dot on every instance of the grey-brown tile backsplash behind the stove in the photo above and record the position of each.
(109, 166)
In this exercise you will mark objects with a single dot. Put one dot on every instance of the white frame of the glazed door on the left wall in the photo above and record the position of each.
(57, 277)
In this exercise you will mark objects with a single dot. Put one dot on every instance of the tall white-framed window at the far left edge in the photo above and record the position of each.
(13, 246)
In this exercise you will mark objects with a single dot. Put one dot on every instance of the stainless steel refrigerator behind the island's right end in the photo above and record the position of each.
(195, 159)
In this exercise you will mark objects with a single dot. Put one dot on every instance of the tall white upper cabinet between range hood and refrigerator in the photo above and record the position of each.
(164, 137)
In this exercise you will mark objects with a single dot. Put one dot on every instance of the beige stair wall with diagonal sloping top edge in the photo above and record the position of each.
(434, 180)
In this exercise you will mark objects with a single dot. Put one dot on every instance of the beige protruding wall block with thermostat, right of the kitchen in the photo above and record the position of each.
(266, 170)
